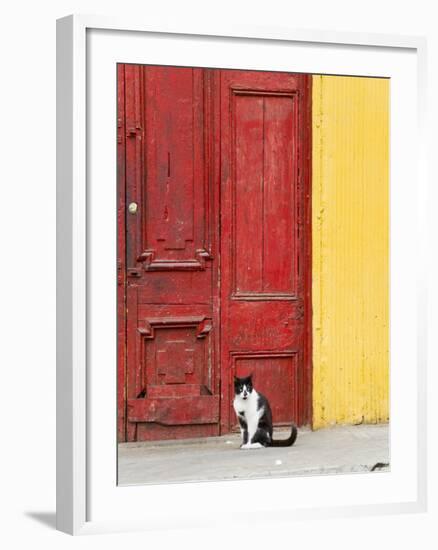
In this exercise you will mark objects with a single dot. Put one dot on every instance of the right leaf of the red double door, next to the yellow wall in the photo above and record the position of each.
(265, 301)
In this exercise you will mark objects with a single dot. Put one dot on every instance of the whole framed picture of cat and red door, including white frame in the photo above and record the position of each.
(236, 307)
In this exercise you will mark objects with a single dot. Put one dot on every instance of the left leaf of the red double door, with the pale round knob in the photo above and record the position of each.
(172, 379)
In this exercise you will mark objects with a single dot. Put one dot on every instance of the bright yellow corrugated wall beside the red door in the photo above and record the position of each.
(350, 250)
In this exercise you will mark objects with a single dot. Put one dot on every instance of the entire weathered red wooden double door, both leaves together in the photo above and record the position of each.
(213, 247)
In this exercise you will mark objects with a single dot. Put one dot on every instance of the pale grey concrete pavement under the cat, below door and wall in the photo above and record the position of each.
(343, 449)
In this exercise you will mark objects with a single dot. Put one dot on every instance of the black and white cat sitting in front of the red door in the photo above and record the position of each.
(255, 417)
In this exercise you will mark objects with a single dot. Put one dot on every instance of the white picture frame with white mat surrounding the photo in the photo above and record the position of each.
(78, 231)
